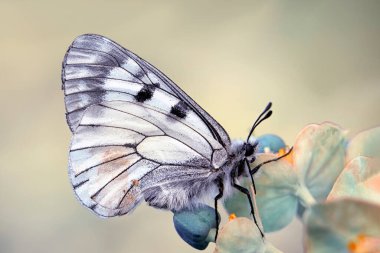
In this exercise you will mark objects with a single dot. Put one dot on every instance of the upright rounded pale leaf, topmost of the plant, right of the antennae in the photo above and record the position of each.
(319, 157)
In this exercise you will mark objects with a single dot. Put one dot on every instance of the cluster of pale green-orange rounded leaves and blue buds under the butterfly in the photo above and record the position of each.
(330, 182)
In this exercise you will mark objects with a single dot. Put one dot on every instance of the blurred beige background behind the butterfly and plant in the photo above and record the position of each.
(316, 61)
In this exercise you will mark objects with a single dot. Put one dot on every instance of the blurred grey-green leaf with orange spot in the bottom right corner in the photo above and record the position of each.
(343, 225)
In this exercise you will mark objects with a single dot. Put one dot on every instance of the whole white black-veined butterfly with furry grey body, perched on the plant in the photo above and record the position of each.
(138, 137)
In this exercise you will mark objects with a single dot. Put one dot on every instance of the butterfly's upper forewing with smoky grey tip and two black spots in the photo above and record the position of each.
(97, 69)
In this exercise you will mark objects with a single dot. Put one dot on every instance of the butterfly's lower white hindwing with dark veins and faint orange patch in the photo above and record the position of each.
(120, 150)
